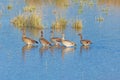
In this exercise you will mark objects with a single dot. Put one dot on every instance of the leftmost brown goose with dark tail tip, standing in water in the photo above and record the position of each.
(28, 41)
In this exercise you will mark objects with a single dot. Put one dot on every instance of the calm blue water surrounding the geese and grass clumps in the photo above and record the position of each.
(100, 61)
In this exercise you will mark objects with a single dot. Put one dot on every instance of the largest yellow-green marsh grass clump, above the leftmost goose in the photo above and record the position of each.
(32, 21)
